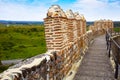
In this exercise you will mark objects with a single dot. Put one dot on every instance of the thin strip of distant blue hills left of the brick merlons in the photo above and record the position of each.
(20, 22)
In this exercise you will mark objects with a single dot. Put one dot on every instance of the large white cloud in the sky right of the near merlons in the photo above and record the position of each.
(98, 9)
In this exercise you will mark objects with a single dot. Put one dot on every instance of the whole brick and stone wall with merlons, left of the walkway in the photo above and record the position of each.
(67, 41)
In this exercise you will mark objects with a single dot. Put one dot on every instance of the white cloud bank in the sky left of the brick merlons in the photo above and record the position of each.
(35, 11)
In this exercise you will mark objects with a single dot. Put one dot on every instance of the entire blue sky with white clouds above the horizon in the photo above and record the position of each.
(36, 10)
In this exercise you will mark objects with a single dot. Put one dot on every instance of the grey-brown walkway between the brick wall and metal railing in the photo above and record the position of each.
(96, 64)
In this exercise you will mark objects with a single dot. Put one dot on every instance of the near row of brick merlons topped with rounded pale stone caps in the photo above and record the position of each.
(62, 29)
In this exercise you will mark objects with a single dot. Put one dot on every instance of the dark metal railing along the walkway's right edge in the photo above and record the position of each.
(114, 47)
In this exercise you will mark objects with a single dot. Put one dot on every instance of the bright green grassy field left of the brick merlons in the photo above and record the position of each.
(21, 41)
